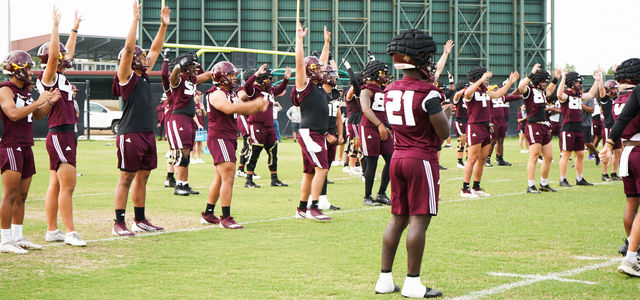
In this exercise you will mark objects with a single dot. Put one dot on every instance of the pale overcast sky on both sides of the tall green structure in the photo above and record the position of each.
(586, 31)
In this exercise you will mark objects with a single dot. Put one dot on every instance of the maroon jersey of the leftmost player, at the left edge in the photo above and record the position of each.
(18, 133)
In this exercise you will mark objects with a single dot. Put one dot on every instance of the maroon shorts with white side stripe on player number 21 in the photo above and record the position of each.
(415, 186)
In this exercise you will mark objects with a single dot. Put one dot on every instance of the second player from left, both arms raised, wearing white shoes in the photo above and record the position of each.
(61, 140)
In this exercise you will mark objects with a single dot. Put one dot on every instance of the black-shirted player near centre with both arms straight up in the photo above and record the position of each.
(314, 110)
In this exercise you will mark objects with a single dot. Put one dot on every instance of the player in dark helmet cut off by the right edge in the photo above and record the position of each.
(626, 110)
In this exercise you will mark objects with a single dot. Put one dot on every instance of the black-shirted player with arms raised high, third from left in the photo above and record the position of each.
(135, 142)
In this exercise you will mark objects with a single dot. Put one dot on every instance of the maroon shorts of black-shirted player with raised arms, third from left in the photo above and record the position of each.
(136, 151)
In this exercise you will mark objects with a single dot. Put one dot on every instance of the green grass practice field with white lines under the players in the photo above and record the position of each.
(509, 245)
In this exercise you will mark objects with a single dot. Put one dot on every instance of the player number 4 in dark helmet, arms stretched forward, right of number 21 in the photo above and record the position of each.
(477, 98)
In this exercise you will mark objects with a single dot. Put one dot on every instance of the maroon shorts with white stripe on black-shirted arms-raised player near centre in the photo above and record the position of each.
(314, 150)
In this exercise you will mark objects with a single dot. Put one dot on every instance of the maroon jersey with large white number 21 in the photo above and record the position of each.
(405, 103)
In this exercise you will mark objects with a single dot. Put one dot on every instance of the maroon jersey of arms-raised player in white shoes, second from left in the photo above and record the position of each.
(63, 112)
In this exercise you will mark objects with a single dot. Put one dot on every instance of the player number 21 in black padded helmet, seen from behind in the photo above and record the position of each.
(419, 124)
